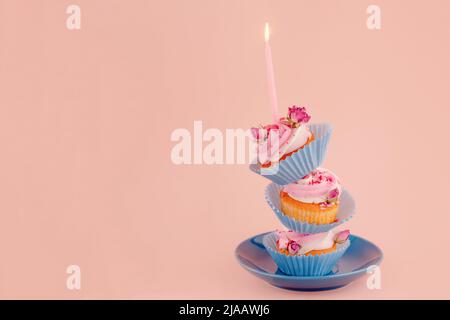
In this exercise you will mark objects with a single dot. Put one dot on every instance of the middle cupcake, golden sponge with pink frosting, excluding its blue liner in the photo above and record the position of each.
(313, 199)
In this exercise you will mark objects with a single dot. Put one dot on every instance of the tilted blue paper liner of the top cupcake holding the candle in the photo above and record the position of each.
(302, 162)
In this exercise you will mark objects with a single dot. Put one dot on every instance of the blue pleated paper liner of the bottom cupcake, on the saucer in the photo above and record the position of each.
(304, 266)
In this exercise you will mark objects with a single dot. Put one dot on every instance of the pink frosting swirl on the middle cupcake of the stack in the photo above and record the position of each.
(318, 186)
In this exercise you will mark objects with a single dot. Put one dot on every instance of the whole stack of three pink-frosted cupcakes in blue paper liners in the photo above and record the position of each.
(308, 200)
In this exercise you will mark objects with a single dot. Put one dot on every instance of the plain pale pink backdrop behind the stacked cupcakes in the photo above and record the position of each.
(86, 117)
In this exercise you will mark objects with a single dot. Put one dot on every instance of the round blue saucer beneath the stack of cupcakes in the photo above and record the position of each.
(361, 254)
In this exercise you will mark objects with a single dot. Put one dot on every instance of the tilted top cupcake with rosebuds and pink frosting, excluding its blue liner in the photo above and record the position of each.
(279, 140)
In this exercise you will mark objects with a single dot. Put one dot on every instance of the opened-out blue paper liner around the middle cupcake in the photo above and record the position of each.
(345, 212)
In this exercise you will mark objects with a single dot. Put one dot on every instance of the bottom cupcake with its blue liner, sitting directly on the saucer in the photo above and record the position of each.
(299, 254)
